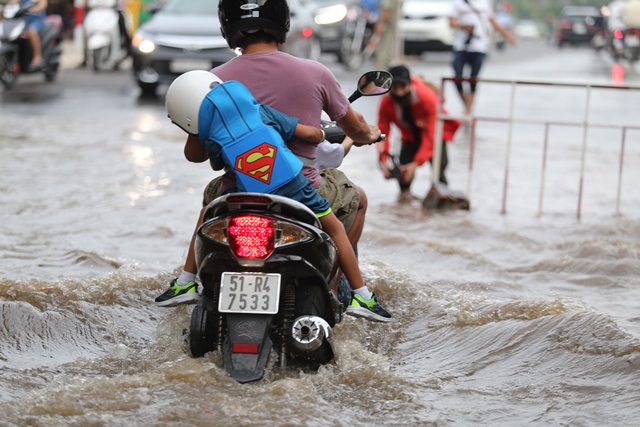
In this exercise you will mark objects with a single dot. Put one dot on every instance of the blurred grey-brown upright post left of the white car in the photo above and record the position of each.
(386, 28)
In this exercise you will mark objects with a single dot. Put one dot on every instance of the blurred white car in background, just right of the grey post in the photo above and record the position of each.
(424, 26)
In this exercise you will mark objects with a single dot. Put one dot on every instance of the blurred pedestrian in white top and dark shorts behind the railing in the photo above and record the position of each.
(471, 19)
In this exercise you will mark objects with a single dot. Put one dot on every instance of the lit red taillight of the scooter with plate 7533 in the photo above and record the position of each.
(251, 236)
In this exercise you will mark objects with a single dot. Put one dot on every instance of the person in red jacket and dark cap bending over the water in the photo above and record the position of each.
(412, 106)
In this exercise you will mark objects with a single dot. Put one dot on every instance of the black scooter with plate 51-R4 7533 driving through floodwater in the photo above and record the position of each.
(268, 272)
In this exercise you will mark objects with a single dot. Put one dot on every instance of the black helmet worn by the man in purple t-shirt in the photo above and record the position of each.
(237, 17)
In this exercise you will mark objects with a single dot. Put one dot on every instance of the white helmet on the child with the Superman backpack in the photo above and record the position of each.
(185, 95)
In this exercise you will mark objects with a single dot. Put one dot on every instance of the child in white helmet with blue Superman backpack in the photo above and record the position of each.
(230, 123)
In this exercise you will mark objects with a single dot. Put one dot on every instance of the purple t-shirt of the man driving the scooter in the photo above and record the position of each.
(298, 87)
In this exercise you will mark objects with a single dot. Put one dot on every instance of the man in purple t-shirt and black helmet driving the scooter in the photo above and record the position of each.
(278, 79)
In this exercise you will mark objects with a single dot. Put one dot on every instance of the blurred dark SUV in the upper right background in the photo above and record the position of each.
(576, 25)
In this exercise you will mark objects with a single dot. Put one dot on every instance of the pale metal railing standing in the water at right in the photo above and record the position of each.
(585, 124)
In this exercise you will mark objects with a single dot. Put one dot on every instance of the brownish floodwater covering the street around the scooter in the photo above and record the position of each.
(527, 317)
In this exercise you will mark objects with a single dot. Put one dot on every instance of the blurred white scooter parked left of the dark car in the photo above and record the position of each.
(106, 44)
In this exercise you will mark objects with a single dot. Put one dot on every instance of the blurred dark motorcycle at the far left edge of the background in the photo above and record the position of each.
(15, 50)
